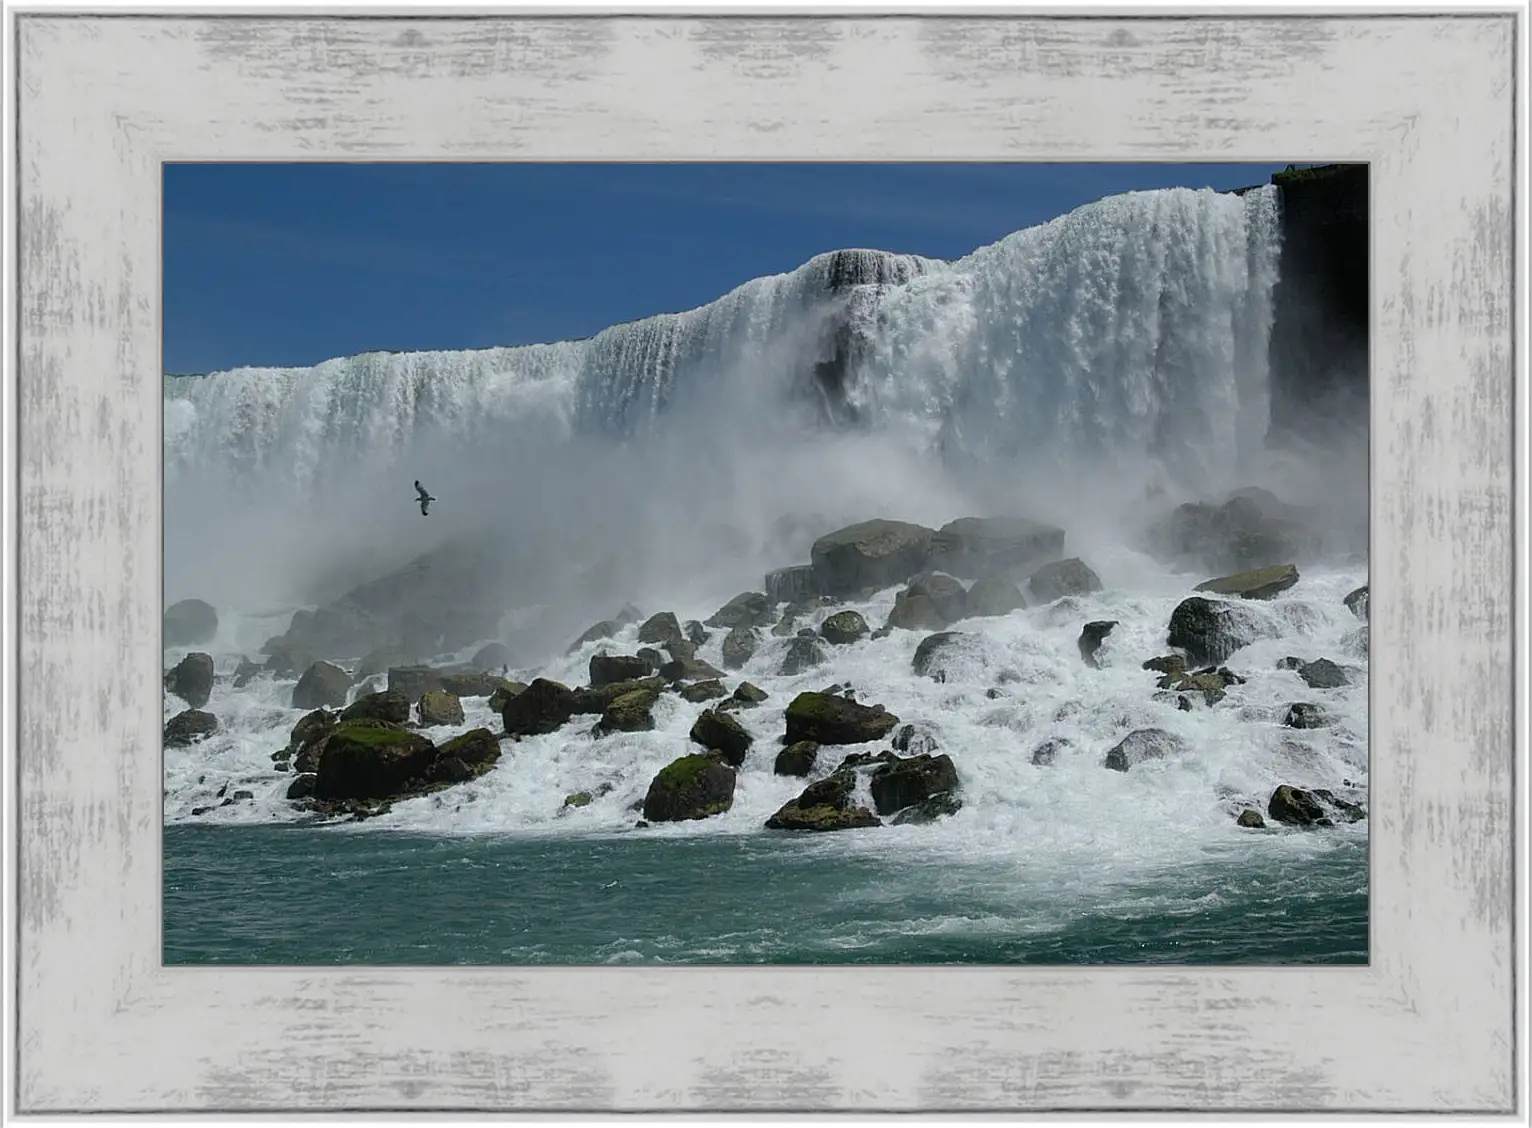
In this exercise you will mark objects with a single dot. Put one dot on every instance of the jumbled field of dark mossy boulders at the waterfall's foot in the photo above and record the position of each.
(364, 743)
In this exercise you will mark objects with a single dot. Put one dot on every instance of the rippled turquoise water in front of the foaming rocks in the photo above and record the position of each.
(327, 896)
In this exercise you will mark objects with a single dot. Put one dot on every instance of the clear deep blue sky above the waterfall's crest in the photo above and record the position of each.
(293, 264)
